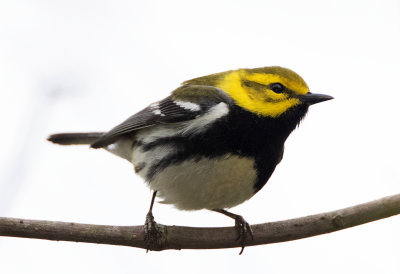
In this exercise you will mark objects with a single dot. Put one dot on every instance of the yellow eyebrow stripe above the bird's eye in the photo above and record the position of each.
(266, 79)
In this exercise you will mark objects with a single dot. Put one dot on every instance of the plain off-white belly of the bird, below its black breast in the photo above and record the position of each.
(221, 182)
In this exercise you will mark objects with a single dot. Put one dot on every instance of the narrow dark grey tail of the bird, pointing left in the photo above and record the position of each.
(81, 138)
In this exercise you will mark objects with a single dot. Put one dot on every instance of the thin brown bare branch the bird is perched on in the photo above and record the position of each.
(179, 237)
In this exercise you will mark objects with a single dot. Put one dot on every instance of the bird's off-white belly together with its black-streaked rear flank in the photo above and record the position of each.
(198, 182)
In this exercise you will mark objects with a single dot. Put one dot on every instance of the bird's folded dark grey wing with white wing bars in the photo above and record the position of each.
(185, 103)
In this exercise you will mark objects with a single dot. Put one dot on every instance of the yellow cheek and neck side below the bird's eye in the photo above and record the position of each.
(266, 103)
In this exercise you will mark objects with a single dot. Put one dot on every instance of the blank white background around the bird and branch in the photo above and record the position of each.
(87, 65)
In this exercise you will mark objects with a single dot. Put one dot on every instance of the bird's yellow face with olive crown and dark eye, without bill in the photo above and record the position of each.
(266, 91)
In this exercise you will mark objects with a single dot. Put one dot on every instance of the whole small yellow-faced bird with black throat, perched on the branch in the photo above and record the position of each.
(213, 143)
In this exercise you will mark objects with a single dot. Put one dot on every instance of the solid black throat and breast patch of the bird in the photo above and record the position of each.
(249, 135)
